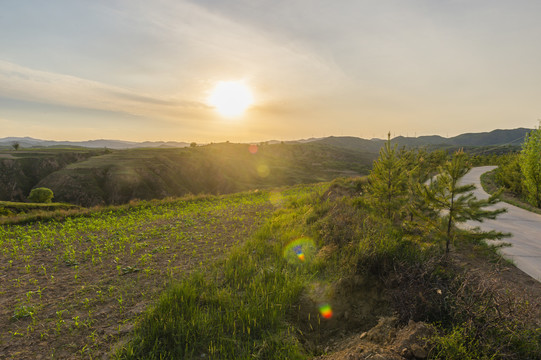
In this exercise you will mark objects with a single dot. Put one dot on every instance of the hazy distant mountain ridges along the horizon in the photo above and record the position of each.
(493, 138)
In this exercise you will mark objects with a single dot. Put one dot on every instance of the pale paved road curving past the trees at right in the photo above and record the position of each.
(525, 226)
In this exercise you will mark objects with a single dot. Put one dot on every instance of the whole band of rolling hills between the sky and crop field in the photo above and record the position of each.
(88, 177)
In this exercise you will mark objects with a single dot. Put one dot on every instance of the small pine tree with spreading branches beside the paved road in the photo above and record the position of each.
(446, 196)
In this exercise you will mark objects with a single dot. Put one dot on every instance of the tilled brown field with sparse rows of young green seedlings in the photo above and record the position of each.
(72, 287)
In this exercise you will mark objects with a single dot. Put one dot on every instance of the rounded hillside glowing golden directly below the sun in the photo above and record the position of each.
(122, 176)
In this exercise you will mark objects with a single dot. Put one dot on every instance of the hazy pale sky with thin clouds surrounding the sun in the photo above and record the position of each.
(144, 70)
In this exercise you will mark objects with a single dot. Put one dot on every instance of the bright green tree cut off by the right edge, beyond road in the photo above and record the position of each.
(530, 165)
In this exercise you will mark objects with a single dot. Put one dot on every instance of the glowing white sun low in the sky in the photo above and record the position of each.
(231, 98)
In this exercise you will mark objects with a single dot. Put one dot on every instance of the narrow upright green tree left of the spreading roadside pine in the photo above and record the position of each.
(388, 181)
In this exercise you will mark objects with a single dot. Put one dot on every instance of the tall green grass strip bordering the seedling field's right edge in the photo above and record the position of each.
(240, 309)
